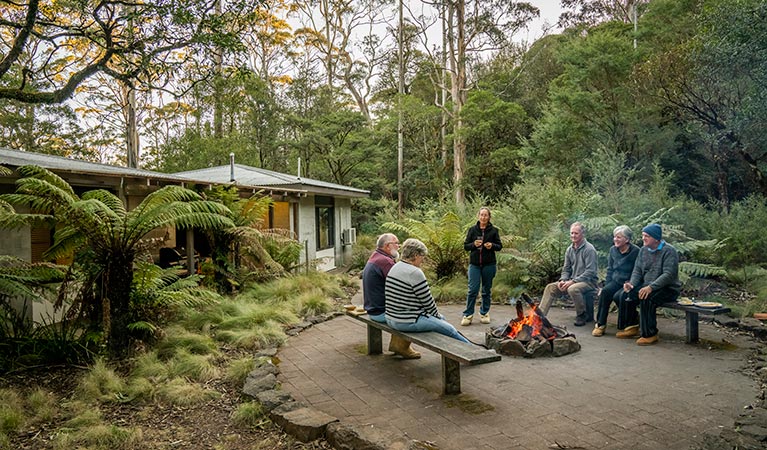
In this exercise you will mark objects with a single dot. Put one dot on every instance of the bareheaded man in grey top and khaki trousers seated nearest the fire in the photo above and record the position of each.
(579, 277)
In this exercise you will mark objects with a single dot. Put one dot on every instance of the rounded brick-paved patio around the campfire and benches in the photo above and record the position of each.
(612, 394)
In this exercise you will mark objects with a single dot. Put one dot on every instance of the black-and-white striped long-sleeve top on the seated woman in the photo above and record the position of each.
(407, 294)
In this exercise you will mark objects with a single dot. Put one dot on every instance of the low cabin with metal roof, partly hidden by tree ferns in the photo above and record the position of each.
(316, 212)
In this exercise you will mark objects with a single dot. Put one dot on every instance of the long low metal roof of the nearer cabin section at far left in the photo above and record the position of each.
(58, 163)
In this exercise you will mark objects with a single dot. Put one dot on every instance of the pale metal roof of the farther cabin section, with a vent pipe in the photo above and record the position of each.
(254, 176)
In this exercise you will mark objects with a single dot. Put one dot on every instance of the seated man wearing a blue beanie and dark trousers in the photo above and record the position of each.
(654, 281)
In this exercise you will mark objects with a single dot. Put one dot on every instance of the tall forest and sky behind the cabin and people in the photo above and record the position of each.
(635, 111)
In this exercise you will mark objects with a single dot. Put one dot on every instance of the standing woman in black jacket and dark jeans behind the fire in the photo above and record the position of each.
(482, 241)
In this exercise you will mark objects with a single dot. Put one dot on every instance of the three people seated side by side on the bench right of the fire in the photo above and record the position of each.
(646, 277)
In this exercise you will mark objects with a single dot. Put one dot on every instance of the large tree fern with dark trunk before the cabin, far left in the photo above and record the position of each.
(104, 238)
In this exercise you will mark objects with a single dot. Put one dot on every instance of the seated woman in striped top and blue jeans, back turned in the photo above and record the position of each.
(409, 304)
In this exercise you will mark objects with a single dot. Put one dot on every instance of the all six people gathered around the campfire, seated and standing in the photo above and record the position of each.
(397, 292)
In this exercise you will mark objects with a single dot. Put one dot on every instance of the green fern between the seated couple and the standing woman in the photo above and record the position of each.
(443, 237)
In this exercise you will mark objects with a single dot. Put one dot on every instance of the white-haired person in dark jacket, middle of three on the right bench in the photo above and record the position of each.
(620, 264)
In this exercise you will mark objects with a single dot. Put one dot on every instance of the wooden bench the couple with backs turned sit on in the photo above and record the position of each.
(452, 350)
